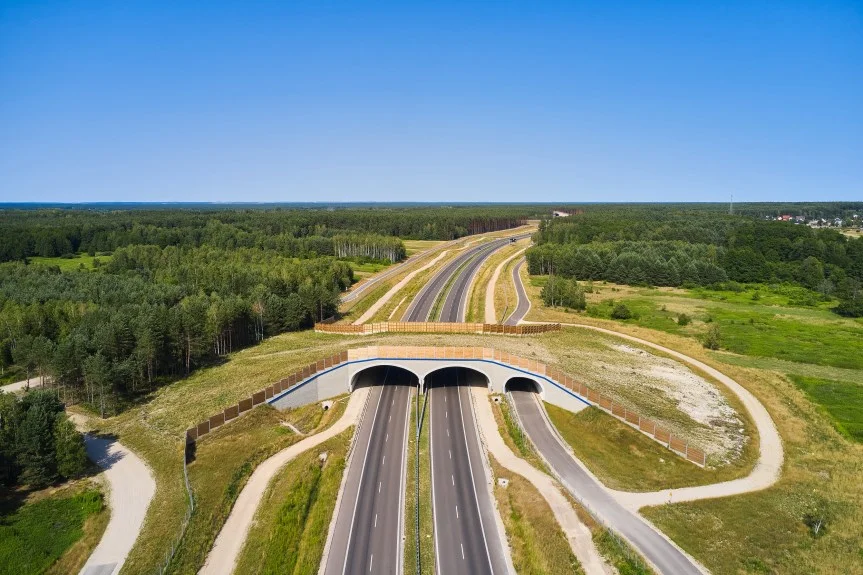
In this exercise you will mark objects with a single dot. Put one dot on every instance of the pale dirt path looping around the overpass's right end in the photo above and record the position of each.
(770, 457)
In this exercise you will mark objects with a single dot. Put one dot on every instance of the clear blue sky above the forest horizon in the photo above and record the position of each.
(488, 101)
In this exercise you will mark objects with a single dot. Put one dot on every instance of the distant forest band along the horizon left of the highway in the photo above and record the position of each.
(300, 233)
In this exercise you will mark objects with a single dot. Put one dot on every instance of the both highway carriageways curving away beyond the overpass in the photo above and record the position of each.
(423, 303)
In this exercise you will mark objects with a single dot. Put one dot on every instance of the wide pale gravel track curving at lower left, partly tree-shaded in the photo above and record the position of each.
(132, 488)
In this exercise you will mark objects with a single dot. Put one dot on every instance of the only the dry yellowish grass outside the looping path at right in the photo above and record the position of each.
(770, 531)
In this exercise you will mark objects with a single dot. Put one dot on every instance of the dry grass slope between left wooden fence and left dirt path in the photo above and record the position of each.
(224, 461)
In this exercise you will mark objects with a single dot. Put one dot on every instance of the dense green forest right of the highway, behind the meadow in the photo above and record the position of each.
(681, 247)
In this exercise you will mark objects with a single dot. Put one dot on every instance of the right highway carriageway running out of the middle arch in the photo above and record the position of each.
(467, 540)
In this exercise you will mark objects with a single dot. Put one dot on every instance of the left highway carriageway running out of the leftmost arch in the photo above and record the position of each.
(370, 524)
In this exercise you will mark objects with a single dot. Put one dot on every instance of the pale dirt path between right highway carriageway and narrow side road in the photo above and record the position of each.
(578, 535)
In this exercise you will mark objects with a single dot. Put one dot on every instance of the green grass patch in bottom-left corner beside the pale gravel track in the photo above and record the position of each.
(53, 531)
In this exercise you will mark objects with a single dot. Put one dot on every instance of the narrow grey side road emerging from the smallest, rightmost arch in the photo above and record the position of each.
(665, 556)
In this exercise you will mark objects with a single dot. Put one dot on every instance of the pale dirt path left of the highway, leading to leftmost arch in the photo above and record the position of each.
(223, 556)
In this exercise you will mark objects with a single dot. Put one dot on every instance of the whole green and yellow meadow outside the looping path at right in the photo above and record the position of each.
(775, 530)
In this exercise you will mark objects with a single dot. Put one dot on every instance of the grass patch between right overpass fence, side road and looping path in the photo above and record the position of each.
(626, 459)
